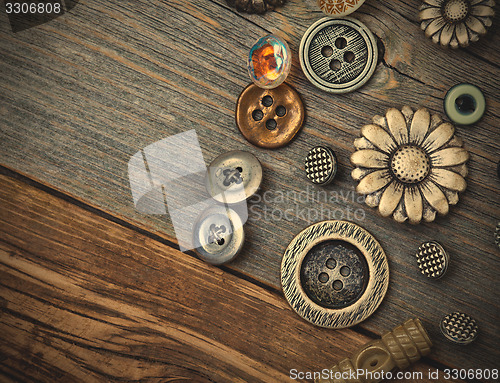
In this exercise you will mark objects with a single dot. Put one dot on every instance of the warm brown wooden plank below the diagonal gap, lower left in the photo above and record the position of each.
(83, 299)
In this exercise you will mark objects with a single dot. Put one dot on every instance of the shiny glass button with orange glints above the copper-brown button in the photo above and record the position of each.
(269, 61)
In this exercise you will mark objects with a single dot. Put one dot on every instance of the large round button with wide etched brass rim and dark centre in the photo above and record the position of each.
(334, 274)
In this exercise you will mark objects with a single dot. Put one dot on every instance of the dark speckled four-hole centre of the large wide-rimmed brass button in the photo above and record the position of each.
(334, 274)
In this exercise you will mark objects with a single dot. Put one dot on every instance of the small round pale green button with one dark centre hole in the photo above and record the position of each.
(464, 104)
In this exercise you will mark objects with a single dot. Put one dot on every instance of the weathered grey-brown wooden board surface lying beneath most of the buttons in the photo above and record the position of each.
(80, 95)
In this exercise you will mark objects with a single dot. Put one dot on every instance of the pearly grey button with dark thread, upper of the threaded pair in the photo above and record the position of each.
(233, 177)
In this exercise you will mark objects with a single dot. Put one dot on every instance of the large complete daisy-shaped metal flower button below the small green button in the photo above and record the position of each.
(410, 165)
